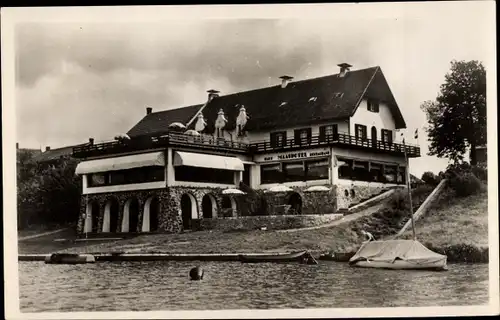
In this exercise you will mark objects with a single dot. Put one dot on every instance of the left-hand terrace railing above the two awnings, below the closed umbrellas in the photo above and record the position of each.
(171, 139)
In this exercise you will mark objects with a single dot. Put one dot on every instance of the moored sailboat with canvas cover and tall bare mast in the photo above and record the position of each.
(399, 254)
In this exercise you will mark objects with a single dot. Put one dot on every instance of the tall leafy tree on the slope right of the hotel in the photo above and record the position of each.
(457, 119)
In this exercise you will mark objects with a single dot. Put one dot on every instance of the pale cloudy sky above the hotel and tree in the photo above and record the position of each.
(77, 78)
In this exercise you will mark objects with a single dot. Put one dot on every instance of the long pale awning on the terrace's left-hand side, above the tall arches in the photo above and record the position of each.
(121, 163)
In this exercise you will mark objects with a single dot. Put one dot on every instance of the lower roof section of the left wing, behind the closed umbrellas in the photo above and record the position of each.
(158, 122)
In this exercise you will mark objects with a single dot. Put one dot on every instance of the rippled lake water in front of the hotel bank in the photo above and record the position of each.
(155, 286)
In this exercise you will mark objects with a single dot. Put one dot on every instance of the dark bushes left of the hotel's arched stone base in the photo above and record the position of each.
(49, 195)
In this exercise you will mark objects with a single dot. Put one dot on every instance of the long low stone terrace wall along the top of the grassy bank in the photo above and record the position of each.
(280, 222)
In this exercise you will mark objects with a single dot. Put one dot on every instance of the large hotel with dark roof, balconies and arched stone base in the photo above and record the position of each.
(314, 146)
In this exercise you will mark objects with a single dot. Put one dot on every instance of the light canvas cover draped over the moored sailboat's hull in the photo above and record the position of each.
(389, 251)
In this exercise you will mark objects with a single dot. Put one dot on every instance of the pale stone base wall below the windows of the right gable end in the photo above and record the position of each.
(350, 195)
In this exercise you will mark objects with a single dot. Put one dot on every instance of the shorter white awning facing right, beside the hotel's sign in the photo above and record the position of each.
(207, 161)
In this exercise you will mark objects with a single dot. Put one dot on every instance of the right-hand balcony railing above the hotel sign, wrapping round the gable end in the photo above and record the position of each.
(339, 139)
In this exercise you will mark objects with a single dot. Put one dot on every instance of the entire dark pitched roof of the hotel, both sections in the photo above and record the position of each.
(266, 109)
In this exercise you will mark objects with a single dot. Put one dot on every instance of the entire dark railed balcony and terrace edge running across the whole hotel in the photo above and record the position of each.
(204, 142)
